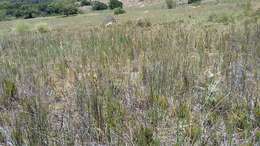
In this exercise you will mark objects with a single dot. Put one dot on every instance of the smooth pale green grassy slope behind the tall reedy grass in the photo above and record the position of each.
(156, 14)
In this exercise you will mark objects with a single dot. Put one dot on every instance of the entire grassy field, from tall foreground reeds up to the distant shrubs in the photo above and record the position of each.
(192, 77)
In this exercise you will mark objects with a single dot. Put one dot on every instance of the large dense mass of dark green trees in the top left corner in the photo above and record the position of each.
(33, 8)
